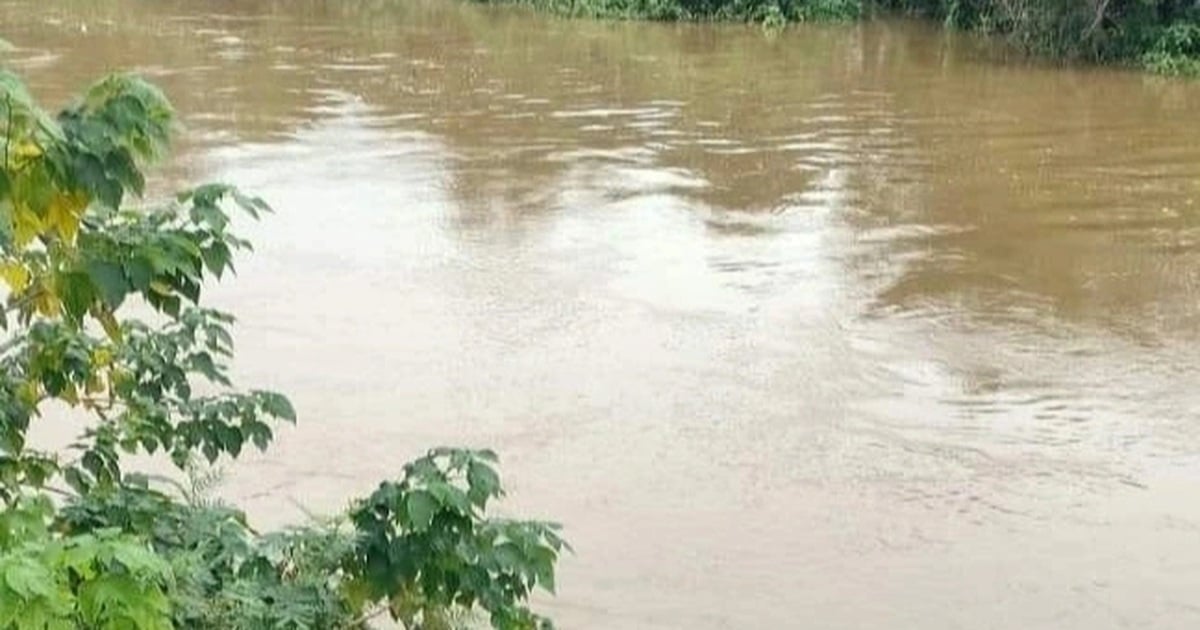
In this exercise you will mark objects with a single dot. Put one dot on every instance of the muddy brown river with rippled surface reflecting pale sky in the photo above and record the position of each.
(849, 327)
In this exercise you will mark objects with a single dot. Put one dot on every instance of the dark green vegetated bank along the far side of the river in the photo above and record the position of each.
(1161, 37)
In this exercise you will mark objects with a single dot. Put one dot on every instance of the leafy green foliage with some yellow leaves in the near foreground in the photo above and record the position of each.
(88, 543)
